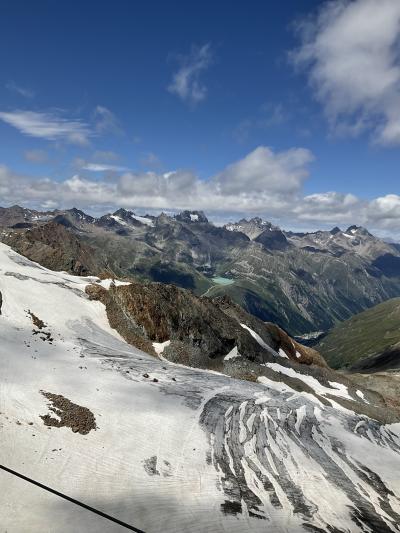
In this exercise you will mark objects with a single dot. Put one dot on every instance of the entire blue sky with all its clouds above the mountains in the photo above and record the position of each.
(285, 110)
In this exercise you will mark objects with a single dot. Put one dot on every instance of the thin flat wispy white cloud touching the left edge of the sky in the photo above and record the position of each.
(49, 126)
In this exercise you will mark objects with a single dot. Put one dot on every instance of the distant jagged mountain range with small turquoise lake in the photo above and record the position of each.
(303, 282)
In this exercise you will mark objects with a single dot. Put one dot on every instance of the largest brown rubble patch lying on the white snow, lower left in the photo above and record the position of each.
(79, 419)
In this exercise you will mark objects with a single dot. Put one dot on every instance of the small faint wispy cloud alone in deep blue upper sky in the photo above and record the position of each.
(186, 81)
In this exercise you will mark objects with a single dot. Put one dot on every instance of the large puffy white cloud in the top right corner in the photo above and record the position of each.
(350, 50)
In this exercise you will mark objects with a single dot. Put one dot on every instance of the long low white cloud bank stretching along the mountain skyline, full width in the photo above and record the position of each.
(263, 183)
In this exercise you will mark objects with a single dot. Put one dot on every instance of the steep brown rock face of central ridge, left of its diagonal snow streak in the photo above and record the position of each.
(156, 312)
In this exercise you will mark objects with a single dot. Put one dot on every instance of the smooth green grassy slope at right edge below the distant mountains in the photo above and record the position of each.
(367, 342)
